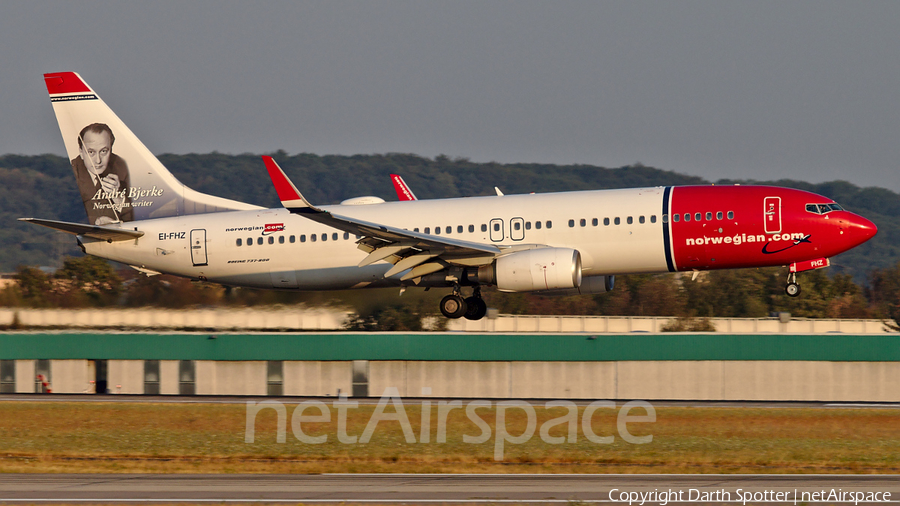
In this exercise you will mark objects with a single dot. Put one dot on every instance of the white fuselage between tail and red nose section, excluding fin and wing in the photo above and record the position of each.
(283, 254)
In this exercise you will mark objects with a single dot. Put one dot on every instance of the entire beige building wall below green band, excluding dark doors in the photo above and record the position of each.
(713, 380)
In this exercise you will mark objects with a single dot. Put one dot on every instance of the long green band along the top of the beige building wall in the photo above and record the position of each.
(449, 346)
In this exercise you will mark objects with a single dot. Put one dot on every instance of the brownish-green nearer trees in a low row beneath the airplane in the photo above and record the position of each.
(87, 281)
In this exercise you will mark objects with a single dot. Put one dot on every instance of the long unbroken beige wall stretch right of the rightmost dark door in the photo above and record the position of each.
(655, 380)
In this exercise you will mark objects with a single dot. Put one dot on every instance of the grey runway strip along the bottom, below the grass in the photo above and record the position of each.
(436, 488)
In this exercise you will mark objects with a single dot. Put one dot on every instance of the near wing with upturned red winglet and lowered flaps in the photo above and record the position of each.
(422, 253)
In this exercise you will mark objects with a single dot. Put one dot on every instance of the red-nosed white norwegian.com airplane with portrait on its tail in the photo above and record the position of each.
(574, 242)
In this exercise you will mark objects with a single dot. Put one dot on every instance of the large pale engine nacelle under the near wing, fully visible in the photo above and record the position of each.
(536, 269)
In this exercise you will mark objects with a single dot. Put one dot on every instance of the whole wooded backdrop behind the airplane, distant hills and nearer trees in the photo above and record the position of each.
(862, 283)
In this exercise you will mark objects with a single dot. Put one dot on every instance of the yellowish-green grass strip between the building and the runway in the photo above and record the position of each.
(114, 437)
